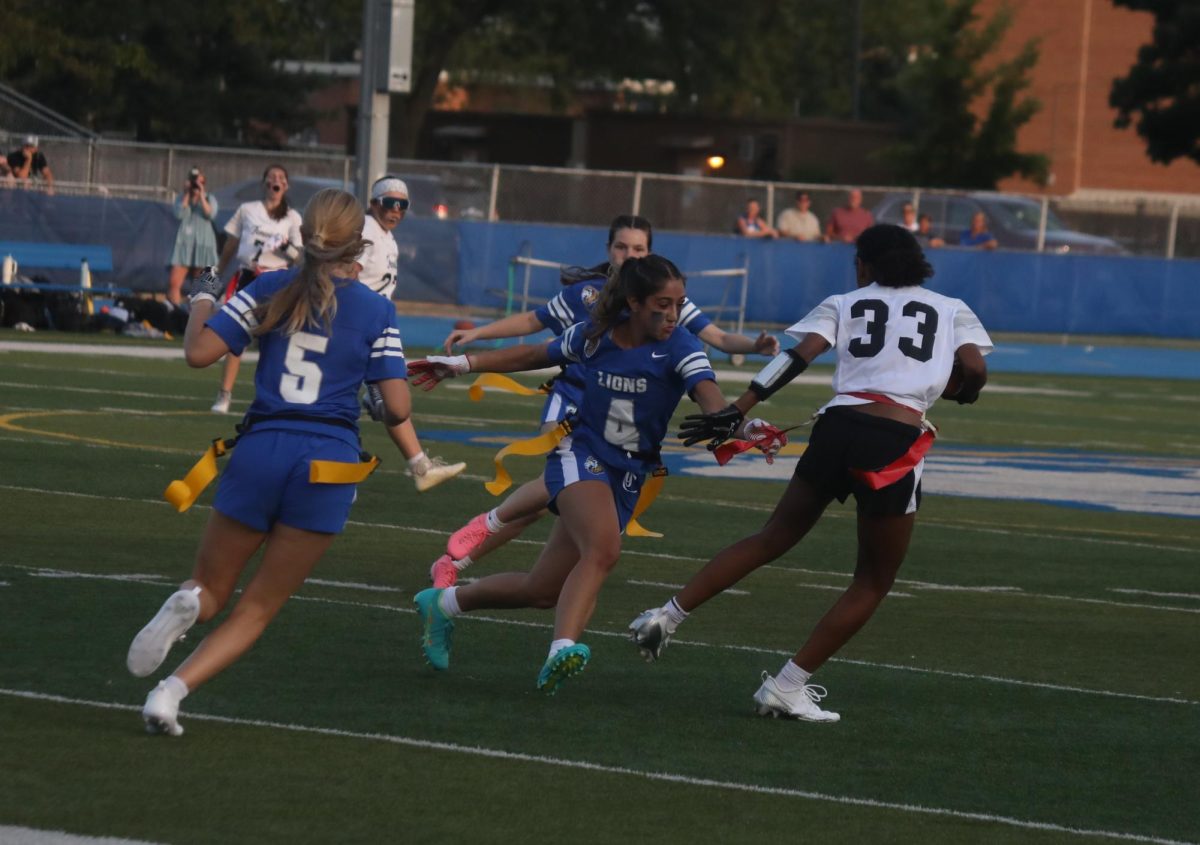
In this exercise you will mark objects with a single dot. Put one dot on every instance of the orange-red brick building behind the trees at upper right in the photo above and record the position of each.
(1084, 46)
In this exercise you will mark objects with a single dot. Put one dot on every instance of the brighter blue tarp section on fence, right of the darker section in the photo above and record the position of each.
(1010, 291)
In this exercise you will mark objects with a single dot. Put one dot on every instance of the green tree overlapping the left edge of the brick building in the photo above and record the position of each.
(947, 145)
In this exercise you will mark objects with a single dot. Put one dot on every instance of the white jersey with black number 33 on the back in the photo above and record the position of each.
(899, 343)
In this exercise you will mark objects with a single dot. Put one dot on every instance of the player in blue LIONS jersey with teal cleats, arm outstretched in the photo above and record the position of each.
(637, 367)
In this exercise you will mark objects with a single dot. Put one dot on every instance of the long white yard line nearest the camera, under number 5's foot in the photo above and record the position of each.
(621, 771)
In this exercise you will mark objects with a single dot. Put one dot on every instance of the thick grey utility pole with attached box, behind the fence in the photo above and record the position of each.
(387, 70)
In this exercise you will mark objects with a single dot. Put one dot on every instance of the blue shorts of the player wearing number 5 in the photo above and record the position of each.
(267, 482)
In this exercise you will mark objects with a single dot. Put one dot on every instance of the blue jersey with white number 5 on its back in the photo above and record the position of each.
(316, 373)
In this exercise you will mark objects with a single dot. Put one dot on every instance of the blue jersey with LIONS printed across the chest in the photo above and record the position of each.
(629, 395)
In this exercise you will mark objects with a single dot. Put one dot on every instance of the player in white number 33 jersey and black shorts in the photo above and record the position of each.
(899, 347)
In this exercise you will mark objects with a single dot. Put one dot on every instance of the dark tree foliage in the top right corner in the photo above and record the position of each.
(1163, 87)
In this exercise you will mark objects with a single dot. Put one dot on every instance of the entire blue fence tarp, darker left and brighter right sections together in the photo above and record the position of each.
(469, 262)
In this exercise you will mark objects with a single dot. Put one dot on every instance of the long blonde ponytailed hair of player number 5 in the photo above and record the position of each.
(333, 238)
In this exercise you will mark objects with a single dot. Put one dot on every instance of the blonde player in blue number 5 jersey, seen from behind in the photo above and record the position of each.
(321, 335)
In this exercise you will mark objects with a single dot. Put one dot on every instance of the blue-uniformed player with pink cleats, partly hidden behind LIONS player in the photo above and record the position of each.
(629, 237)
